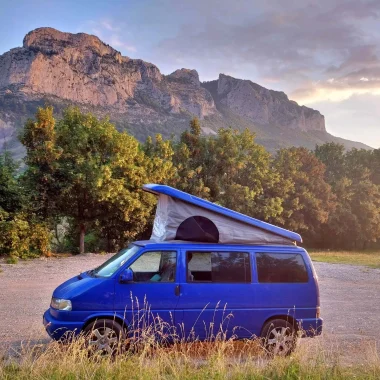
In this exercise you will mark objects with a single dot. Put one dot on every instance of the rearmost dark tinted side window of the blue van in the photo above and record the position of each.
(281, 268)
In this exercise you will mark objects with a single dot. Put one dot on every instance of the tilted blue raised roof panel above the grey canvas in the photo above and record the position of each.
(185, 197)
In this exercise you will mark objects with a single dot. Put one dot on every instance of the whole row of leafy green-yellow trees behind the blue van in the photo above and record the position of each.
(83, 173)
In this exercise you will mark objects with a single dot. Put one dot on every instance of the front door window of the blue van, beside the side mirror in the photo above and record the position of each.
(155, 266)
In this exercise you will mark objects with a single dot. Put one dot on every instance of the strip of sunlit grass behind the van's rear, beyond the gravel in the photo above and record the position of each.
(367, 258)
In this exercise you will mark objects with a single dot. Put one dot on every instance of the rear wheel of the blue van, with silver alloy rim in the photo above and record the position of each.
(279, 337)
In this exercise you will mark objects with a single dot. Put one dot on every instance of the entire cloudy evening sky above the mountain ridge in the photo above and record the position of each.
(324, 54)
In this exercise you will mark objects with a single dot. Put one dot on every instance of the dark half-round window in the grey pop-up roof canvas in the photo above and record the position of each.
(198, 228)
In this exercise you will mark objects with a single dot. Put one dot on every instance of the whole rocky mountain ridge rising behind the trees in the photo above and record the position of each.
(59, 68)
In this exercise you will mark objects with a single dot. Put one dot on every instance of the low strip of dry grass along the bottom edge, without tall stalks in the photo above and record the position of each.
(220, 360)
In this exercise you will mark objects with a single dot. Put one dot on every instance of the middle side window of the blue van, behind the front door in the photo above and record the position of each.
(230, 267)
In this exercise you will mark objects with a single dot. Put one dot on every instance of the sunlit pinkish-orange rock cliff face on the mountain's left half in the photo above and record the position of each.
(82, 69)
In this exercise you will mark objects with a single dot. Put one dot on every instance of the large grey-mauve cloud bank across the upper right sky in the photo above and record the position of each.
(294, 43)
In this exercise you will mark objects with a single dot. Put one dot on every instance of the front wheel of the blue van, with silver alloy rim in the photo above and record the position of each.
(104, 337)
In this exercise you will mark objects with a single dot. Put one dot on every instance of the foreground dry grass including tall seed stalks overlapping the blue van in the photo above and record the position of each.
(156, 350)
